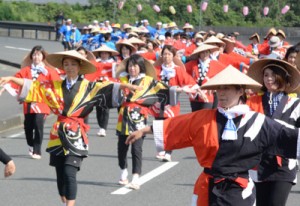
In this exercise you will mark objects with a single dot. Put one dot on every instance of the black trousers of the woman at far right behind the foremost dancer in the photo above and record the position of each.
(272, 193)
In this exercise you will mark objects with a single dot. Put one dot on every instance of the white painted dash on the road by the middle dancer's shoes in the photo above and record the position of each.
(147, 177)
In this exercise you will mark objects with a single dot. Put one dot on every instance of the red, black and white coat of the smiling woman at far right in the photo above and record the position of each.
(286, 113)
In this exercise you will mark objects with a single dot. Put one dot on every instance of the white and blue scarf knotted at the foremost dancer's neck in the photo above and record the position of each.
(230, 130)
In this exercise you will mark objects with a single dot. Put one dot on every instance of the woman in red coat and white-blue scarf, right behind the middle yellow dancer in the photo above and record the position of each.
(171, 71)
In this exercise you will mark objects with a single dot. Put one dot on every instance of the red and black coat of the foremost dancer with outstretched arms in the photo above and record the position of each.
(202, 131)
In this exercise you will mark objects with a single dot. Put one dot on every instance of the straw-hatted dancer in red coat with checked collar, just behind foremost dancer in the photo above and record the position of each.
(202, 68)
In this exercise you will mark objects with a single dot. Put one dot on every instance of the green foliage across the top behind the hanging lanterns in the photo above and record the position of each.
(108, 9)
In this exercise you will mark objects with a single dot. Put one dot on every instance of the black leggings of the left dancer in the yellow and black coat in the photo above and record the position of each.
(66, 168)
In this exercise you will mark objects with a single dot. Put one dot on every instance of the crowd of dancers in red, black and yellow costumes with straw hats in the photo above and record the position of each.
(243, 124)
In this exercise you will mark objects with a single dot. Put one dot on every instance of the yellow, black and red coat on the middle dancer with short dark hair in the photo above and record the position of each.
(134, 111)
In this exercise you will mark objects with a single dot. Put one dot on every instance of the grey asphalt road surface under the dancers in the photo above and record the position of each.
(34, 184)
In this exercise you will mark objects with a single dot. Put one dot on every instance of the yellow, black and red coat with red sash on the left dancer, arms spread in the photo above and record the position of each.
(68, 135)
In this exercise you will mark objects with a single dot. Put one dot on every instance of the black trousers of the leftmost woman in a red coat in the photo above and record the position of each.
(34, 131)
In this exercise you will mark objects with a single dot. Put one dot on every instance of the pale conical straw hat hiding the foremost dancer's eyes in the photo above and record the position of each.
(231, 76)
